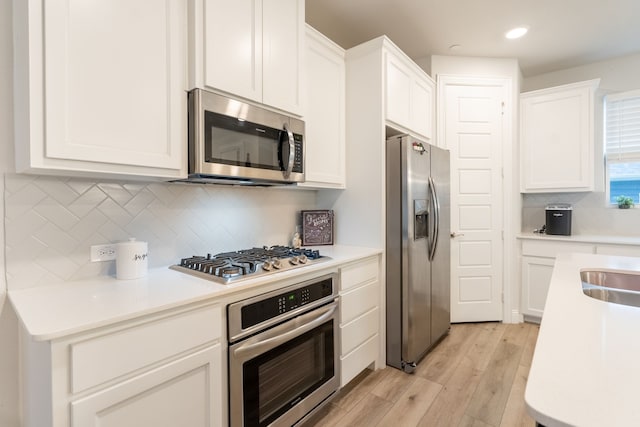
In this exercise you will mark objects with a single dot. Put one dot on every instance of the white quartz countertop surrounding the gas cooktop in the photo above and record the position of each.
(50, 312)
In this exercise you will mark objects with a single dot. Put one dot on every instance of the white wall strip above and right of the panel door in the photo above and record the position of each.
(498, 68)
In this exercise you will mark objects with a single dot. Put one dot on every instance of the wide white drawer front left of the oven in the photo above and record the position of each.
(102, 358)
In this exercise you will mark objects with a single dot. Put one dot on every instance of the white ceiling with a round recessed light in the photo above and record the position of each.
(562, 33)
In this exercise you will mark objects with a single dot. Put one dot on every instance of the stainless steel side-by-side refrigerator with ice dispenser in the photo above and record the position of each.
(417, 249)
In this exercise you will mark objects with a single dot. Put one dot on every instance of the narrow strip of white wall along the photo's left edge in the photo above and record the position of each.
(8, 324)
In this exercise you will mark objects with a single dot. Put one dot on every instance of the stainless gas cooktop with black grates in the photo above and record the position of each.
(230, 267)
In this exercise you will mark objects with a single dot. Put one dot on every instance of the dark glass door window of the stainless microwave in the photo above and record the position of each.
(235, 142)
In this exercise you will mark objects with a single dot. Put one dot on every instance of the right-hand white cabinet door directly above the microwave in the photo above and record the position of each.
(283, 42)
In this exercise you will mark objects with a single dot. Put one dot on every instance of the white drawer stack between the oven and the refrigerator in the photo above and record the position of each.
(359, 317)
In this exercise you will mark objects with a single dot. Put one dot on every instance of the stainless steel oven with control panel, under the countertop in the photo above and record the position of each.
(283, 353)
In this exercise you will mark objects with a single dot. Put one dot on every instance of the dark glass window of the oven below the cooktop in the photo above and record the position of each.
(284, 376)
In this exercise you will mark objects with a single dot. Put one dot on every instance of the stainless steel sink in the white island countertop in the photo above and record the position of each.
(612, 286)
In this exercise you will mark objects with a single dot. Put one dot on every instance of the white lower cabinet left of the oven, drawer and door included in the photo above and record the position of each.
(159, 370)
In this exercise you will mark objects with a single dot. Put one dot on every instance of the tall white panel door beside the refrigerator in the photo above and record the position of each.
(473, 134)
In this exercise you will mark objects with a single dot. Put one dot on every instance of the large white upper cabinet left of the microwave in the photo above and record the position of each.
(100, 90)
